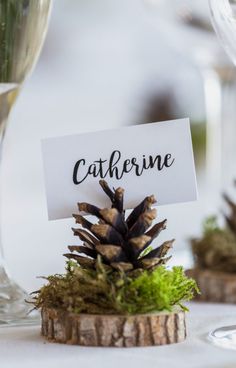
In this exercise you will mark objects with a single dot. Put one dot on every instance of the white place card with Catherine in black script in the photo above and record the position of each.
(144, 159)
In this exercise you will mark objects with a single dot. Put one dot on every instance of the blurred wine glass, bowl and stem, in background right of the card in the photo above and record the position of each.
(187, 27)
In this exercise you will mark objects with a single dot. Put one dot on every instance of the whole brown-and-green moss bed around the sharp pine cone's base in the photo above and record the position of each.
(101, 291)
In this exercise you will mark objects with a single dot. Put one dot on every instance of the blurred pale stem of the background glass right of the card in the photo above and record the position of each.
(218, 84)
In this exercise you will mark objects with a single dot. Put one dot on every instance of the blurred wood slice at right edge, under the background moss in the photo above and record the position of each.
(216, 287)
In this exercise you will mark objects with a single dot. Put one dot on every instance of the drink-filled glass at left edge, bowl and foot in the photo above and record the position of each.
(23, 27)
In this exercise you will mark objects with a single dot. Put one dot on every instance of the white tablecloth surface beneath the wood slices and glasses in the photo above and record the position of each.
(24, 347)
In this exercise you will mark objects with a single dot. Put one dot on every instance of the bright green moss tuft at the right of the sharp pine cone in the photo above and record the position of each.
(158, 290)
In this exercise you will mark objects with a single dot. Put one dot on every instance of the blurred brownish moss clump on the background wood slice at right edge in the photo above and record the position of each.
(216, 250)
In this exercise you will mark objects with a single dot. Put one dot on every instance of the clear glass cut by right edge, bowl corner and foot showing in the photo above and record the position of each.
(223, 15)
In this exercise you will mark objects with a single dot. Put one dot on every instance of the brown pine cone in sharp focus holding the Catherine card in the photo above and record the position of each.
(120, 242)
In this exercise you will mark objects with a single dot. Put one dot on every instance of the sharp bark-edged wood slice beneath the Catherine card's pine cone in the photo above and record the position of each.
(113, 330)
